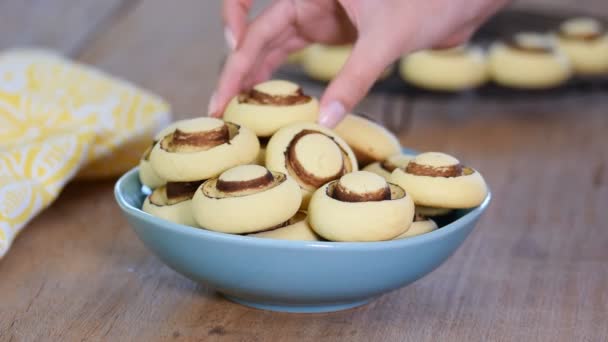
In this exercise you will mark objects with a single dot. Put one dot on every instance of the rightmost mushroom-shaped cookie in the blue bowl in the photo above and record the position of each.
(438, 180)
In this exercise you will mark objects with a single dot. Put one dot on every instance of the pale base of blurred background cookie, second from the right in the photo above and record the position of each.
(516, 69)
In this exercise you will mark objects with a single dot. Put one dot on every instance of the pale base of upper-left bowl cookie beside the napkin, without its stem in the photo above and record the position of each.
(192, 166)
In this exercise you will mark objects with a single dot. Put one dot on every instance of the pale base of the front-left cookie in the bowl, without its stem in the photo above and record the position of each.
(249, 213)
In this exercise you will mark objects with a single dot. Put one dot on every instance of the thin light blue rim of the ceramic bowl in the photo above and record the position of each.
(152, 221)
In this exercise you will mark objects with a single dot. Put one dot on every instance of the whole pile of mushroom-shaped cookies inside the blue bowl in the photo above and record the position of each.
(305, 185)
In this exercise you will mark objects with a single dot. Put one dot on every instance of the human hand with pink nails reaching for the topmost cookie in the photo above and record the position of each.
(382, 31)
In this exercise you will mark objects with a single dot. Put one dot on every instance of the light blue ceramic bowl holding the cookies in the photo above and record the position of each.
(294, 276)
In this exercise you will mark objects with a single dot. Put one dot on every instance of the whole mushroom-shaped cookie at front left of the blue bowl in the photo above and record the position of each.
(246, 199)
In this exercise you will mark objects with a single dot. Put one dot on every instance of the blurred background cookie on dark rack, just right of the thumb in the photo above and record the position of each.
(459, 68)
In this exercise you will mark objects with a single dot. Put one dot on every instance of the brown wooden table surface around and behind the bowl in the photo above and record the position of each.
(535, 268)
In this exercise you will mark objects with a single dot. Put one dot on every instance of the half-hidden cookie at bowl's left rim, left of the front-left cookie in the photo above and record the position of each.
(176, 209)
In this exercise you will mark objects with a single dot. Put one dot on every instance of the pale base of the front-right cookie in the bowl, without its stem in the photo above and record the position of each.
(359, 221)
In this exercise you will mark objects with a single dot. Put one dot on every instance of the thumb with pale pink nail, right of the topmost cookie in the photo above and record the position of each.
(362, 68)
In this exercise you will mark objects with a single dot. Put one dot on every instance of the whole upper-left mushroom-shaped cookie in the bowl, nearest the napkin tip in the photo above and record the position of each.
(202, 148)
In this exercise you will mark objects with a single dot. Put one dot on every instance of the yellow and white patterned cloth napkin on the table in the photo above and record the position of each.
(60, 120)
